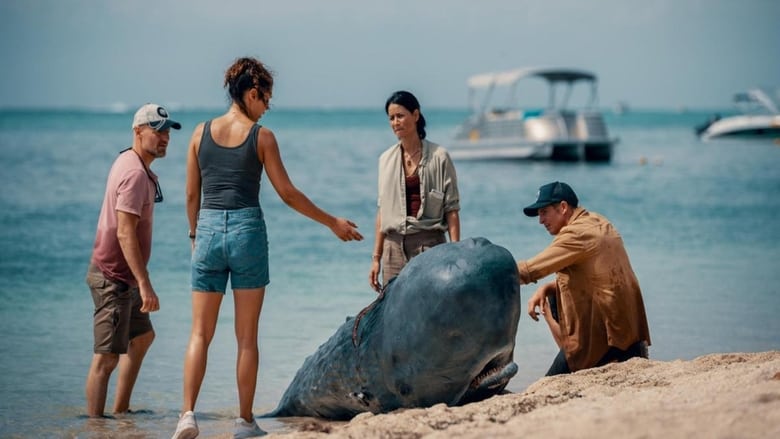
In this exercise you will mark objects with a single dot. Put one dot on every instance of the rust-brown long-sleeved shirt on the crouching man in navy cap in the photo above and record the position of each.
(599, 300)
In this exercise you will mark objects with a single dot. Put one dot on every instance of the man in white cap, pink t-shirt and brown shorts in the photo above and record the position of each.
(117, 274)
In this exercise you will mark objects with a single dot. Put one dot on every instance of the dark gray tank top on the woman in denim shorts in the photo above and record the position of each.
(230, 177)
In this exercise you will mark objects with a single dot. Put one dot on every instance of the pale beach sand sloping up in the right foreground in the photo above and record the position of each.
(715, 396)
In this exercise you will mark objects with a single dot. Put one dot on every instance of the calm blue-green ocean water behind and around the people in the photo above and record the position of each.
(699, 220)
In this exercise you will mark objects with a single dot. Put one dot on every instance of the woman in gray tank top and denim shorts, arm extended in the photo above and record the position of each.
(225, 161)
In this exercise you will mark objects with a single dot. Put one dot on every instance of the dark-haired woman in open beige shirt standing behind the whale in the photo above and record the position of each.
(418, 198)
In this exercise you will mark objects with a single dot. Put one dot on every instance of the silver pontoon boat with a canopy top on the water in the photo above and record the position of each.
(516, 132)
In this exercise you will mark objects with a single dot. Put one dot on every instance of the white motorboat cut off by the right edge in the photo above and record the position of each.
(758, 117)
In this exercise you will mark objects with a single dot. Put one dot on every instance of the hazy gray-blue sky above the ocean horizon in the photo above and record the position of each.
(654, 54)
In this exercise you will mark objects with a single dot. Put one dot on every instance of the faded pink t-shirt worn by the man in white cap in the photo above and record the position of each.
(129, 189)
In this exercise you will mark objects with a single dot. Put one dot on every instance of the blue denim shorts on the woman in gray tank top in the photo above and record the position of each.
(230, 243)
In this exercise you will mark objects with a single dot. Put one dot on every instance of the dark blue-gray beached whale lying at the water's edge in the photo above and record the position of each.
(443, 331)
